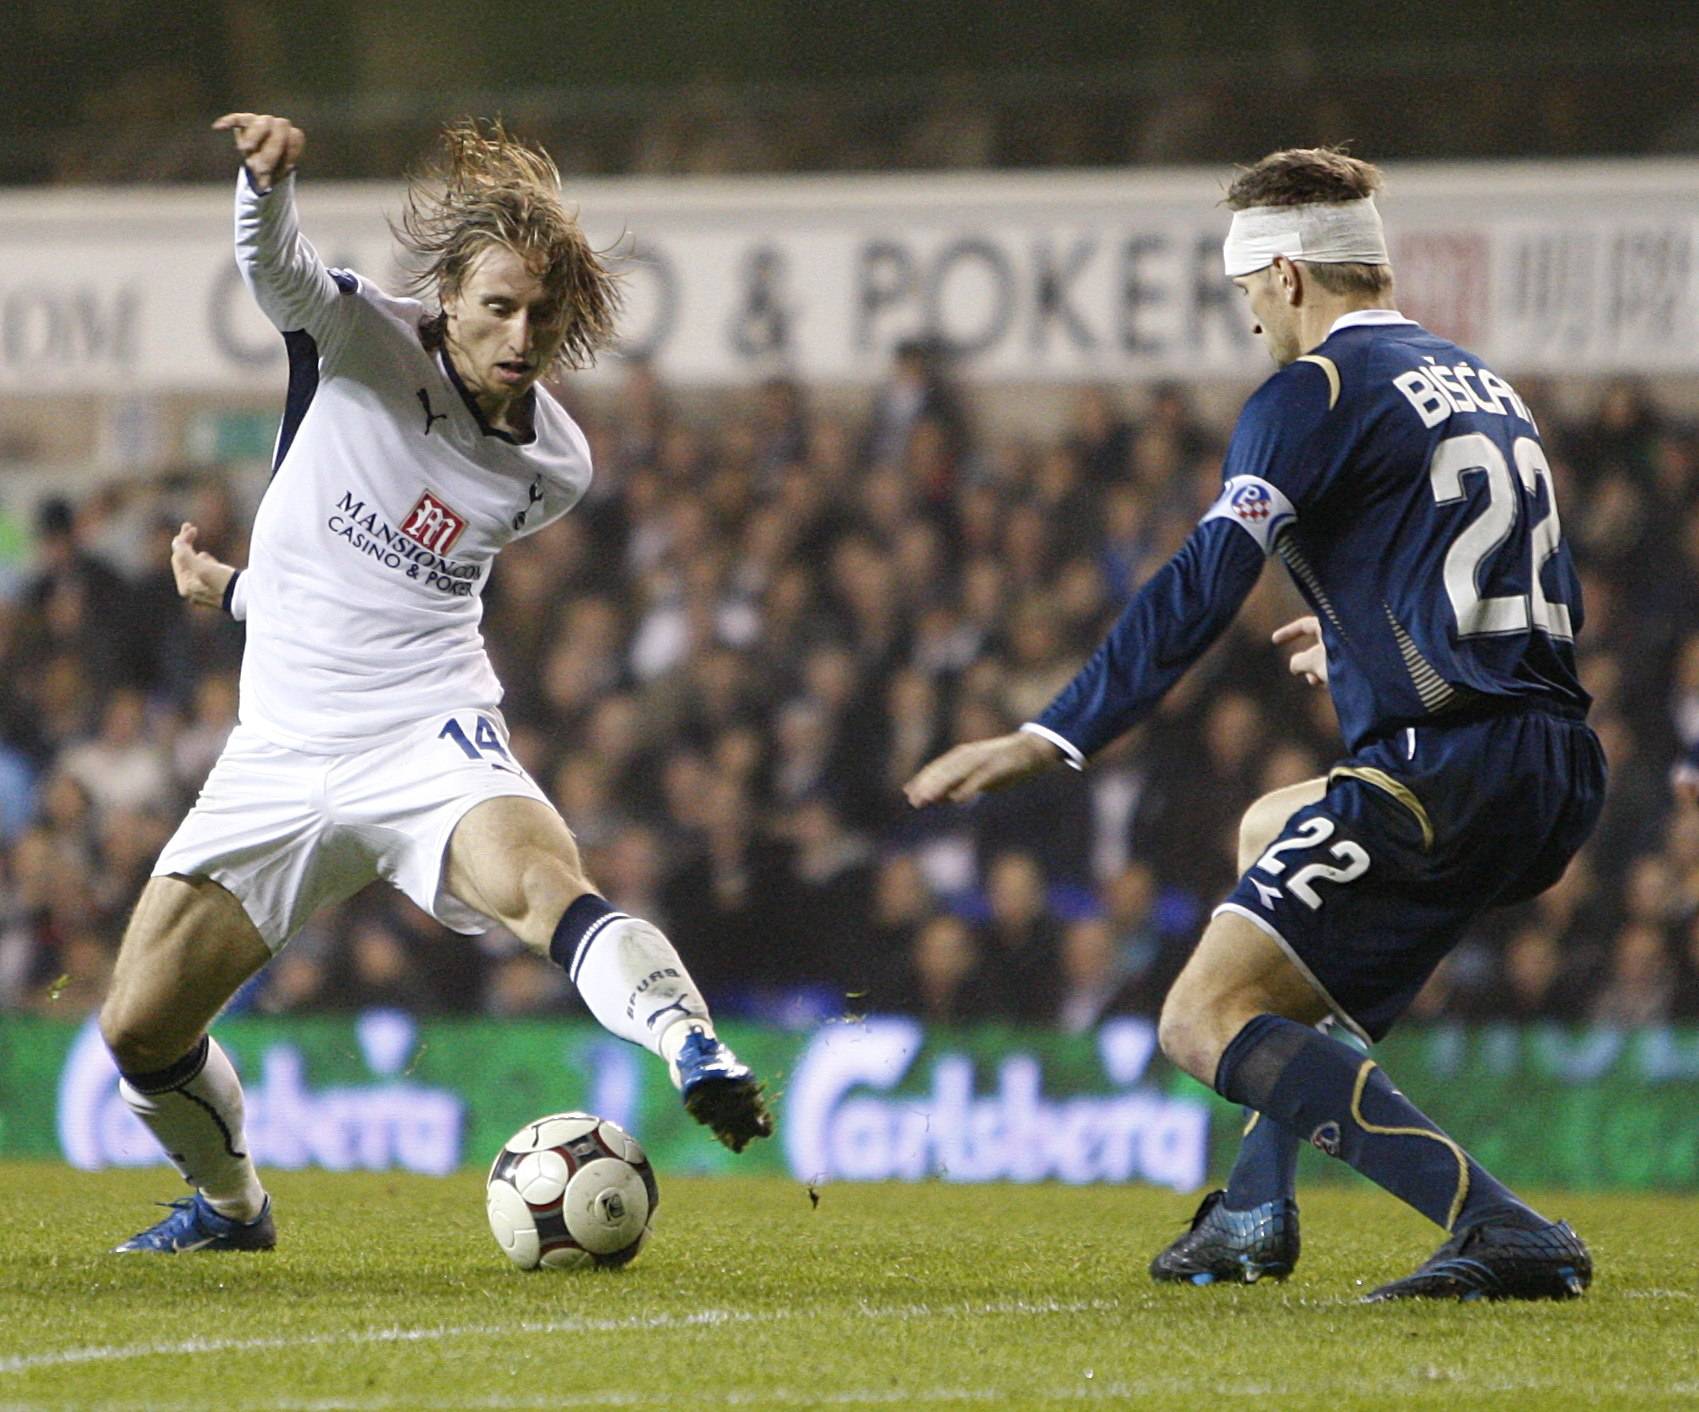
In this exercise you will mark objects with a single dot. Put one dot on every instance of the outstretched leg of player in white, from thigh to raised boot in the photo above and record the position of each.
(516, 861)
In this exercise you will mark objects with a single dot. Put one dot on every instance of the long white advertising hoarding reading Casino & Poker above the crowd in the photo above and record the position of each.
(1550, 269)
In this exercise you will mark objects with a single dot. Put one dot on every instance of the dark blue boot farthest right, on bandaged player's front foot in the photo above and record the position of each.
(1513, 1258)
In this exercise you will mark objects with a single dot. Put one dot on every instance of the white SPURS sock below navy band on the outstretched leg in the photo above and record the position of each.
(635, 983)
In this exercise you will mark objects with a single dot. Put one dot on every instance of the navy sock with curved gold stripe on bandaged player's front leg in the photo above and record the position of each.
(1346, 1105)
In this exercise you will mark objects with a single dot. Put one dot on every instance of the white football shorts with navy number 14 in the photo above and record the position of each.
(288, 833)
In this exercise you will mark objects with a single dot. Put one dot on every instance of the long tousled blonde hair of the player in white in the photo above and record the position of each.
(485, 188)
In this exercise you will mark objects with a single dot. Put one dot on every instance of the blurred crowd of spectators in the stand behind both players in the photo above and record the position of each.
(728, 660)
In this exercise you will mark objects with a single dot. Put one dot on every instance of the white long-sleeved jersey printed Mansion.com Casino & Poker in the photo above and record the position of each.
(388, 504)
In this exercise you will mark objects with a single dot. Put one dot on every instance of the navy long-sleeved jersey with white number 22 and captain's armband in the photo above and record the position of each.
(1406, 489)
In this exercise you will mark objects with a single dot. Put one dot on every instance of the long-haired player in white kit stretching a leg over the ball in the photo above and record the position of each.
(415, 444)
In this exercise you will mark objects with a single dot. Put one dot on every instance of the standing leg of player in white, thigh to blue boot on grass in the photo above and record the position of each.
(186, 952)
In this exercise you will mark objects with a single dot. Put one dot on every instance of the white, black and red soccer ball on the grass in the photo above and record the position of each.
(568, 1192)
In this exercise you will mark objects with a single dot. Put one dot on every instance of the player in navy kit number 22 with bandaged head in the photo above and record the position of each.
(1406, 489)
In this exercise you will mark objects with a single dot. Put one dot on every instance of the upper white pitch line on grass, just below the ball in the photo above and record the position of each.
(713, 1318)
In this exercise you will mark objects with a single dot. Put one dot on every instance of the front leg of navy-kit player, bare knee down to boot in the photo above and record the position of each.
(1239, 1019)
